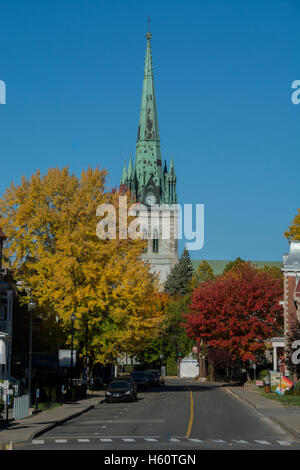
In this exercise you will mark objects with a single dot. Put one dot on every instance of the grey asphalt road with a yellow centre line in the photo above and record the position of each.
(183, 415)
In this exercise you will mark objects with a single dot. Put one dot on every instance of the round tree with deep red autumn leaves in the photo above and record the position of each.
(236, 312)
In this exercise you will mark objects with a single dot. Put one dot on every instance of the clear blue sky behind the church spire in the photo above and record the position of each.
(223, 74)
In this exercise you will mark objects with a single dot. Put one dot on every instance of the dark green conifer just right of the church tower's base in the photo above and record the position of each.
(179, 279)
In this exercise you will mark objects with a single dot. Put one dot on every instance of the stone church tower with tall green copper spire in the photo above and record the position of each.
(150, 183)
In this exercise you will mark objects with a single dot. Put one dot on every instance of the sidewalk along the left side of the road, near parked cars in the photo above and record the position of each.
(33, 426)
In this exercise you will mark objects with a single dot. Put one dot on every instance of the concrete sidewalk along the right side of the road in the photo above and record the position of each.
(288, 417)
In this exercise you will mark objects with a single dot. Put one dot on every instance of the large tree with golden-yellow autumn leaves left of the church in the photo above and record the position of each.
(50, 222)
